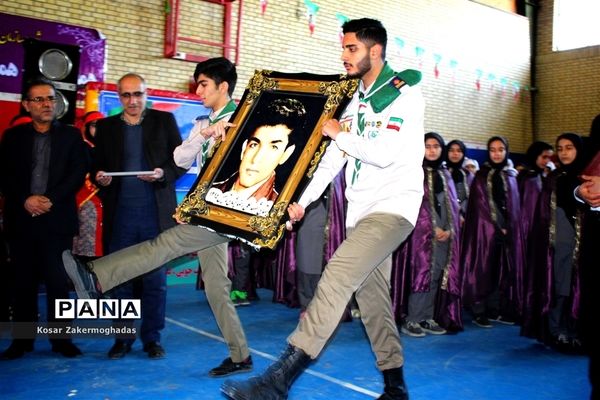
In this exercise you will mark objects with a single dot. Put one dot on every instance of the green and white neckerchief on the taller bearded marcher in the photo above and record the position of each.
(380, 97)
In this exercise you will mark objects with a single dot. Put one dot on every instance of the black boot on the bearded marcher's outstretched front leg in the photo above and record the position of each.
(274, 383)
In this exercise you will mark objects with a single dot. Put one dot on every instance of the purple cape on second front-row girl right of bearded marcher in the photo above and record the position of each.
(479, 241)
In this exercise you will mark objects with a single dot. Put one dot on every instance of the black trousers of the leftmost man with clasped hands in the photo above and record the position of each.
(37, 258)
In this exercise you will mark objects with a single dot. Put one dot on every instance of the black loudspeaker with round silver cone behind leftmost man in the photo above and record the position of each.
(58, 63)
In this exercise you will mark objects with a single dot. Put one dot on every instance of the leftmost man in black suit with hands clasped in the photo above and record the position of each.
(42, 166)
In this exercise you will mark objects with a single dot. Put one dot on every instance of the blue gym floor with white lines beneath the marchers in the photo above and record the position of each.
(477, 364)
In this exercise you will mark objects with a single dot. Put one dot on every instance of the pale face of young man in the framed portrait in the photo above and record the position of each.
(262, 153)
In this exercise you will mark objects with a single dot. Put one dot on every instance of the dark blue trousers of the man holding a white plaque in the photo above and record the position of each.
(134, 225)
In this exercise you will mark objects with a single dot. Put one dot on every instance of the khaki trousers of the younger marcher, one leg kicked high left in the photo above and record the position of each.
(129, 263)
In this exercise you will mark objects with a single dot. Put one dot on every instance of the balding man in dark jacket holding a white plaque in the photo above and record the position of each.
(138, 207)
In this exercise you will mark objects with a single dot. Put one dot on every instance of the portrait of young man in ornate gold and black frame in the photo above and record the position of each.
(268, 156)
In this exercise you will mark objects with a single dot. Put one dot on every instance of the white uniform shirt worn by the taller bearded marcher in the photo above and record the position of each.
(390, 151)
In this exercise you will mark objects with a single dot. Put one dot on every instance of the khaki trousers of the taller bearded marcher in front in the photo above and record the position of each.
(361, 264)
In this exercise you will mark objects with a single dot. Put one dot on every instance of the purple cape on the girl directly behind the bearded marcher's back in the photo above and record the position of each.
(415, 257)
